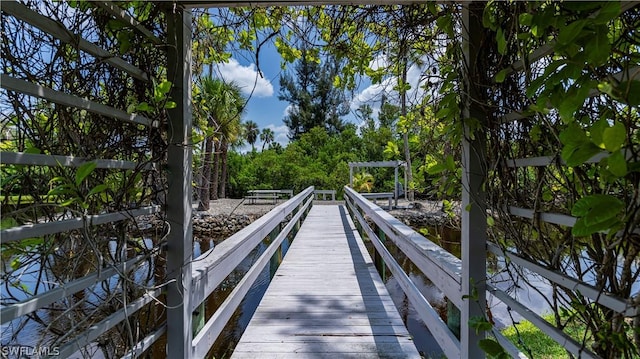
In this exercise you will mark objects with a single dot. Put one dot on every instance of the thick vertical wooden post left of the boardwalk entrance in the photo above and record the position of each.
(179, 176)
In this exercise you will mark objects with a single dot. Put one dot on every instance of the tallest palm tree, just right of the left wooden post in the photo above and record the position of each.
(220, 104)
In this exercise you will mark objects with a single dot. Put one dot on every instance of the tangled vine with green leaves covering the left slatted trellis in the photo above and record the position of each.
(39, 194)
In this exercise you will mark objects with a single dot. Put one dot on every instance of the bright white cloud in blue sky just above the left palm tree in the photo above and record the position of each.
(247, 77)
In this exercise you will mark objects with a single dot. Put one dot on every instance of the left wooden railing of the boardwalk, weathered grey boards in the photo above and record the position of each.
(213, 266)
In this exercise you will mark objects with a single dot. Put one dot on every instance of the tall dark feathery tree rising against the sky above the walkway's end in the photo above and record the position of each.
(315, 102)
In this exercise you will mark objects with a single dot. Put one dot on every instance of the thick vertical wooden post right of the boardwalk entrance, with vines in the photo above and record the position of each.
(474, 218)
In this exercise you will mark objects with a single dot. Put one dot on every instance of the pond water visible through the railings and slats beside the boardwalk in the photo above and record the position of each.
(534, 297)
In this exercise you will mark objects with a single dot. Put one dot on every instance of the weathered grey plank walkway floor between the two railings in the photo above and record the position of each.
(326, 300)
